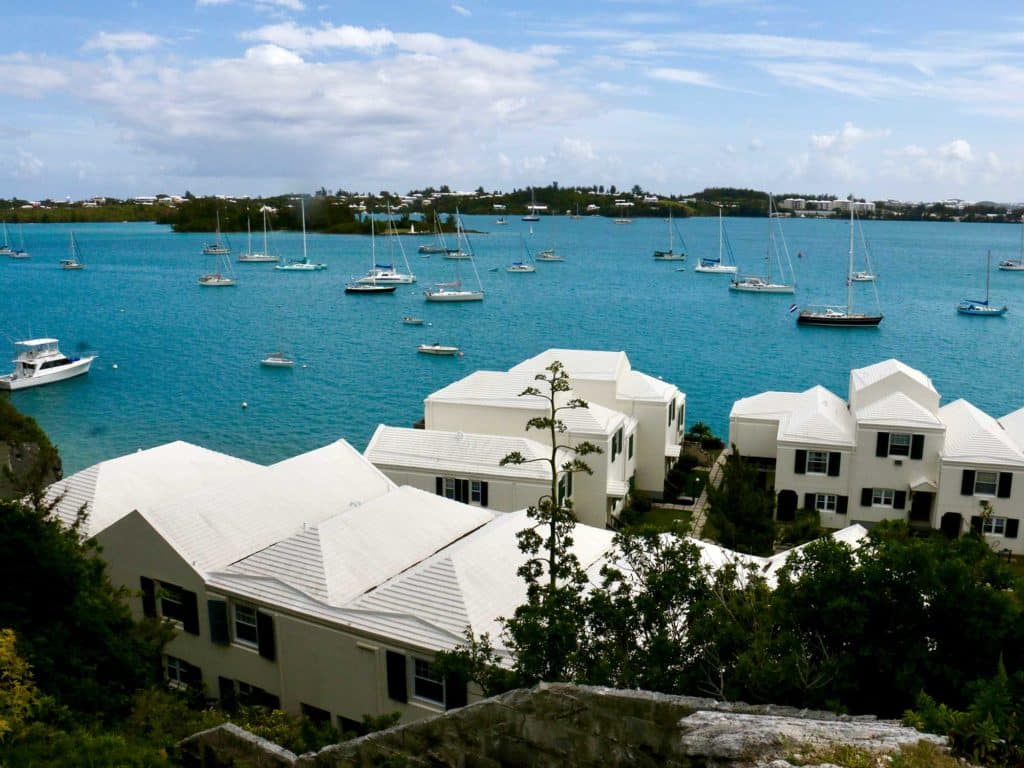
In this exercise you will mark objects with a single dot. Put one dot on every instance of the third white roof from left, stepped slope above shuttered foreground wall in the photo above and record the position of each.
(337, 561)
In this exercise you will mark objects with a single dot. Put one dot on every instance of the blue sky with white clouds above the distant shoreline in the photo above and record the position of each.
(881, 100)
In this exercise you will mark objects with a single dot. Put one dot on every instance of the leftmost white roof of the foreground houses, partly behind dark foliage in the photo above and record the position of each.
(142, 481)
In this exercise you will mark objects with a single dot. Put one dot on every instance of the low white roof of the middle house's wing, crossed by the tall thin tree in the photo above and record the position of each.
(432, 450)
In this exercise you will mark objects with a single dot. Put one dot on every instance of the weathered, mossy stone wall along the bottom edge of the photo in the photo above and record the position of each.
(579, 728)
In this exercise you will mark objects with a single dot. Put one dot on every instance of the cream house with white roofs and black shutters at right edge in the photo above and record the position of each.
(890, 453)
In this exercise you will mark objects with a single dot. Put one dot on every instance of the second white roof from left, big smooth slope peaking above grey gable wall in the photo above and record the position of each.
(223, 524)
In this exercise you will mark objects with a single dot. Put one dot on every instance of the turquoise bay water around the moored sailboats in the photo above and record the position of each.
(188, 357)
